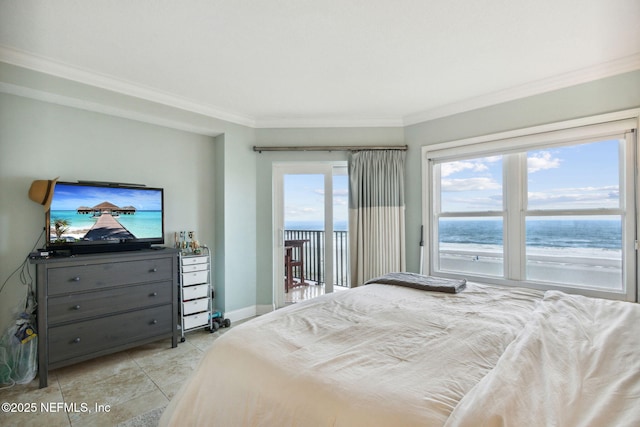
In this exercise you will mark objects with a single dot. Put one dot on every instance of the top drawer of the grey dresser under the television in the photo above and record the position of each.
(80, 278)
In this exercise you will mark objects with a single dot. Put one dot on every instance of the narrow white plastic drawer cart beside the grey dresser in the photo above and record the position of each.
(196, 292)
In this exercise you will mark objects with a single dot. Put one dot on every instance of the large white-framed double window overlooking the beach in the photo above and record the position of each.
(546, 210)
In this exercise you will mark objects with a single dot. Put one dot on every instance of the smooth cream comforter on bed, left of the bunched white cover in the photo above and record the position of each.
(377, 355)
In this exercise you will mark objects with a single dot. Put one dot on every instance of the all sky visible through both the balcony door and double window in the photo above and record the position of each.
(580, 176)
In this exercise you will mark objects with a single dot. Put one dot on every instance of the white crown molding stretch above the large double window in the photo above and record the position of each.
(585, 75)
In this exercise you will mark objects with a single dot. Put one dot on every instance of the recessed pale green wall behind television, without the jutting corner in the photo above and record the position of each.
(41, 140)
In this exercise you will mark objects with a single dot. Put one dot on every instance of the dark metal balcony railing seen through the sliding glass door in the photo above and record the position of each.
(314, 255)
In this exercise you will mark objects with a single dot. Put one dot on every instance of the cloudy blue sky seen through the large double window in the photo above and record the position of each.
(581, 176)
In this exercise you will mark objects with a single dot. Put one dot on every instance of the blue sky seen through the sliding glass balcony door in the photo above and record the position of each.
(304, 198)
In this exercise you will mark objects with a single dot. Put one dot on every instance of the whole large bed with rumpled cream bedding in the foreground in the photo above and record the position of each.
(388, 355)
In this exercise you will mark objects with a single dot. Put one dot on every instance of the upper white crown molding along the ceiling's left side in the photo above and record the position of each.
(65, 71)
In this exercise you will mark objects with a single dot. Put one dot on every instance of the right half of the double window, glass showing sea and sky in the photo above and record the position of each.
(574, 218)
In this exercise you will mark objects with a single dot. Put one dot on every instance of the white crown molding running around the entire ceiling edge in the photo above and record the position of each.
(58, 69)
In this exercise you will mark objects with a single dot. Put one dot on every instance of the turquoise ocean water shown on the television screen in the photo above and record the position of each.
(142, 224)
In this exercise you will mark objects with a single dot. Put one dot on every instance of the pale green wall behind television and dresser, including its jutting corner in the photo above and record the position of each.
(61, 128)
